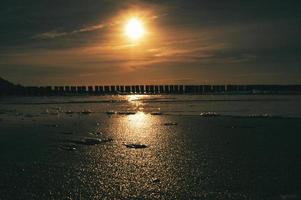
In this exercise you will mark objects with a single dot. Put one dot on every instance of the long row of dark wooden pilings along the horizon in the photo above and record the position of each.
(160, 89)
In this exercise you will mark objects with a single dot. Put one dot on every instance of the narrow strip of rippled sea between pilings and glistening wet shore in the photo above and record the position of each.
(230, 105)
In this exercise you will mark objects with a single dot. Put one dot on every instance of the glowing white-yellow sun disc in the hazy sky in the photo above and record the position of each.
(134, 29)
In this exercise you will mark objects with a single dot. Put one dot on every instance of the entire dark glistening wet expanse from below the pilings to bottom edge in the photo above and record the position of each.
(196, 147)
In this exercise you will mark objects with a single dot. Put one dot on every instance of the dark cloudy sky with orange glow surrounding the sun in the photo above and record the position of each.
(82, 42)
